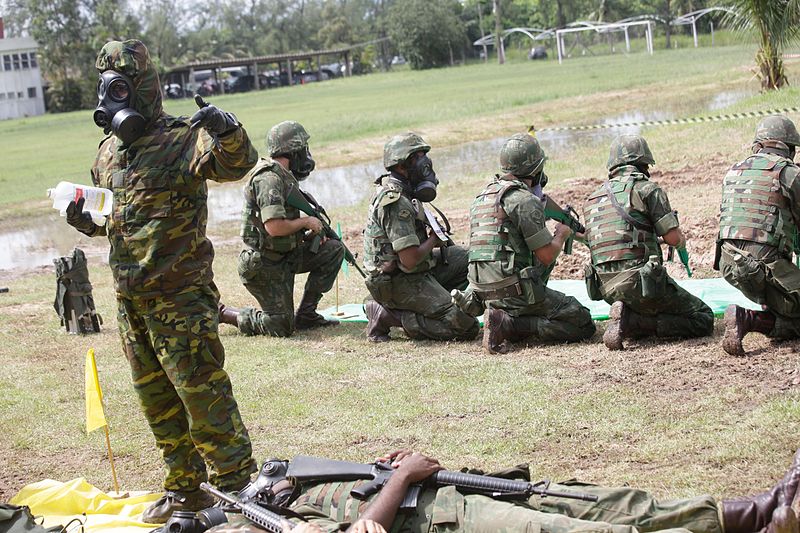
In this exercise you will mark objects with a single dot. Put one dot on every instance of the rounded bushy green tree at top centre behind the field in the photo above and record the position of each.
(426, 32)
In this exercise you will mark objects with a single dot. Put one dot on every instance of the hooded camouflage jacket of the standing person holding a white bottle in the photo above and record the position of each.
(157, 227)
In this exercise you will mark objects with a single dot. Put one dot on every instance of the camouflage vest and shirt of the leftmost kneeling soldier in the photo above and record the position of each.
(265, 198)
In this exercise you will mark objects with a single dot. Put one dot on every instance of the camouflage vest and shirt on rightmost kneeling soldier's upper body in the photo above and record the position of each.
(782, 216)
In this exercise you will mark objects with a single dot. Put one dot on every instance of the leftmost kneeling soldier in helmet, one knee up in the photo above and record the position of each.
(278, 243)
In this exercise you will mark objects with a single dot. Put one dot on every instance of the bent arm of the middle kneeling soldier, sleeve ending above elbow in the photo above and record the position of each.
(526, 212)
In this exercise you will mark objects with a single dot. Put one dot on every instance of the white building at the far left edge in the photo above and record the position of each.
(21, 92)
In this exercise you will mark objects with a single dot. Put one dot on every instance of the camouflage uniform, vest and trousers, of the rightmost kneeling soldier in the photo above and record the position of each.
(760, 210)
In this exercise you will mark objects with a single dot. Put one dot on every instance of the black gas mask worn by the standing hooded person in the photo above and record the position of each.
(114, 111)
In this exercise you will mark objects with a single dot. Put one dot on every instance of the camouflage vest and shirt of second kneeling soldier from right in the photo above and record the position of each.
(645, 202)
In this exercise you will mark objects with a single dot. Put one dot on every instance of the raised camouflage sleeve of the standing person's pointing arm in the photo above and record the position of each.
(226, 158)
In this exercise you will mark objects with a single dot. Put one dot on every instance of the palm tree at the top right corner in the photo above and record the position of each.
(777, 23)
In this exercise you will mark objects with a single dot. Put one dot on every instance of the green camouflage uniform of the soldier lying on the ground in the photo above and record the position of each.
(618, 510)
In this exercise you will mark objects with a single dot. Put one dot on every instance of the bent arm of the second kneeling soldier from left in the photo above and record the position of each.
(398, 220)
